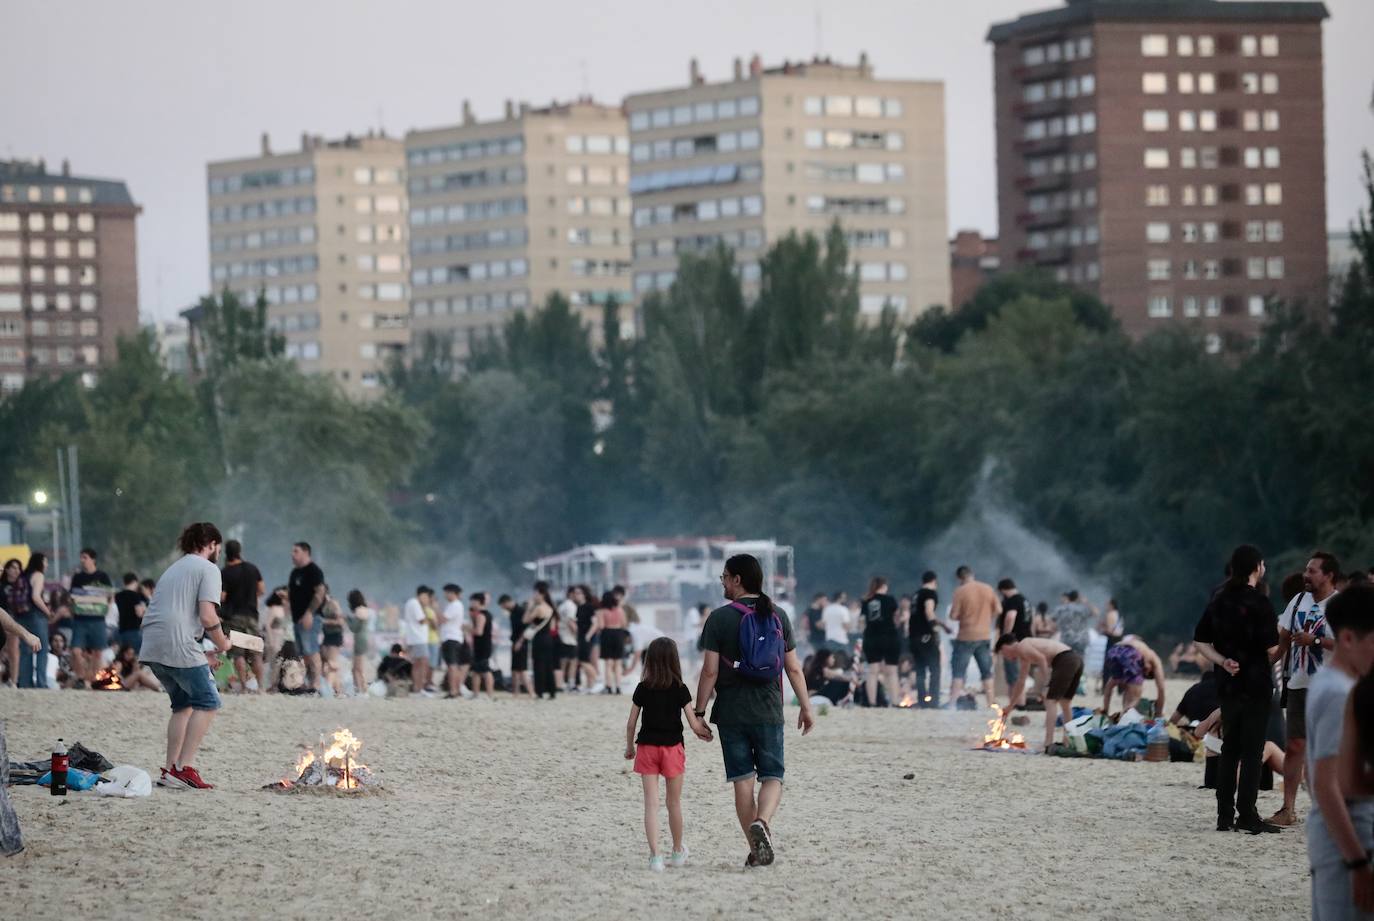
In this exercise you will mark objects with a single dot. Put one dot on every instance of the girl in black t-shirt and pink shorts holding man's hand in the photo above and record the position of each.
(657, 709)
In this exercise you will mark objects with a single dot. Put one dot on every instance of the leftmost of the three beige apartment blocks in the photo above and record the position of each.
(321, 232)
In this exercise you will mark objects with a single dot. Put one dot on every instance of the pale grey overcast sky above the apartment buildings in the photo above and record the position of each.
(150, 90)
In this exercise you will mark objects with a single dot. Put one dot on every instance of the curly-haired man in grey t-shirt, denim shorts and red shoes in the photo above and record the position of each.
(185, 610)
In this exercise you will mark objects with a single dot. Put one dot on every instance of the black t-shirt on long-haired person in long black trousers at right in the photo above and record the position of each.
(1241, 623)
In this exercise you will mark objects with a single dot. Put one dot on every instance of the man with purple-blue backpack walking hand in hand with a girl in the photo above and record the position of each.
(748, 714)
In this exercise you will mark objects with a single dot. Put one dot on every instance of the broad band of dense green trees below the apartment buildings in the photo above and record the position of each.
(784, 416)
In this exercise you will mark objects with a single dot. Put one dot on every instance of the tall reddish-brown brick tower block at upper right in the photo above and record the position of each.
(1167, 155)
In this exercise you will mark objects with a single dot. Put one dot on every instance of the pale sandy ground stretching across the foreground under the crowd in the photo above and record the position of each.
(528, 810)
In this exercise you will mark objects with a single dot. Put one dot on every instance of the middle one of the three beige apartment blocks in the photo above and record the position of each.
(506, 212)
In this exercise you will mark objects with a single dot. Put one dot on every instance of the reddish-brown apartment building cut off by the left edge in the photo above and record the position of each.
(69, 282)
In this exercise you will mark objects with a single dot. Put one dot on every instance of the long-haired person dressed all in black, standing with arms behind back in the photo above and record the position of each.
(1239, 634)
